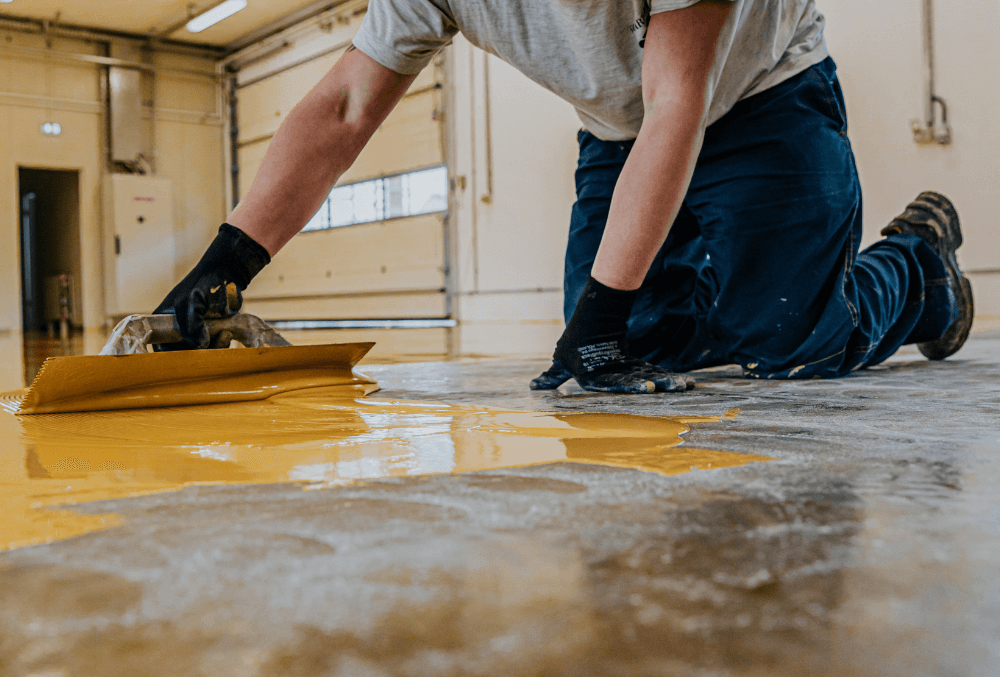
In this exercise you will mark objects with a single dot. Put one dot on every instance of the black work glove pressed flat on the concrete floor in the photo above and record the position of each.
(593, 349)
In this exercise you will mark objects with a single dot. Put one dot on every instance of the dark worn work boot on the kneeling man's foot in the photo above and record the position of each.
(932, 218)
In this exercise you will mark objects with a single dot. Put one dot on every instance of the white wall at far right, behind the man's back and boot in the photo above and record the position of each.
(878, 50)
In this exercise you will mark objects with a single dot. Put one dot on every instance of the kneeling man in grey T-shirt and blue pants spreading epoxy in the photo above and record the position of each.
(718, 212)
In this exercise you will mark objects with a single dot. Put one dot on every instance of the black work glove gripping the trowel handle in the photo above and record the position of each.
(214, 288)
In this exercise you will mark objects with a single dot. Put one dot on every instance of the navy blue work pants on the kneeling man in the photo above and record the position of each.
(761, 267)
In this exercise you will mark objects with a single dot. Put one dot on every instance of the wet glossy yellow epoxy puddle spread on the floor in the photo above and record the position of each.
(318, 436)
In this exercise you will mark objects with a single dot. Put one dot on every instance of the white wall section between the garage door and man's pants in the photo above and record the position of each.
(508, 244)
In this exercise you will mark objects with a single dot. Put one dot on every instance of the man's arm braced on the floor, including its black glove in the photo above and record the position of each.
(678, 57)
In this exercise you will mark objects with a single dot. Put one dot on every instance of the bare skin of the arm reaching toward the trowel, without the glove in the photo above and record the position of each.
(316, 143)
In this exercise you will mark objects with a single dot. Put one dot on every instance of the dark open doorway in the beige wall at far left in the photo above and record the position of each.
(50, 247)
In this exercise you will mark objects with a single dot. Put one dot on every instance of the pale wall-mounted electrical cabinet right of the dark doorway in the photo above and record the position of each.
(139, 243)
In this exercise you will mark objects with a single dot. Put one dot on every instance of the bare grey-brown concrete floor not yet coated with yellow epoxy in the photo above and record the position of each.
(869, 545)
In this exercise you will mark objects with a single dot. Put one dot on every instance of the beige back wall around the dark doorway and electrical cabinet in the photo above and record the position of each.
(36, 87)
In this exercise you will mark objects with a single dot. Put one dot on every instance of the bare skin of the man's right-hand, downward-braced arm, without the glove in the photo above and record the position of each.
(678, 56)
